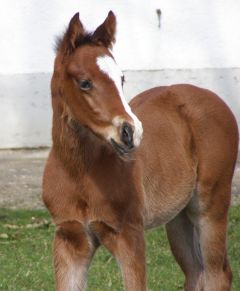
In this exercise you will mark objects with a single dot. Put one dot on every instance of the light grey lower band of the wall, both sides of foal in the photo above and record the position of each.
(26, 104)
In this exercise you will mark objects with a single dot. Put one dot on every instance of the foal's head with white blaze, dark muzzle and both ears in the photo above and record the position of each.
(91, 83)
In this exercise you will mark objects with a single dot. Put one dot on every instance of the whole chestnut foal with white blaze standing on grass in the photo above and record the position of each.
(104, 184)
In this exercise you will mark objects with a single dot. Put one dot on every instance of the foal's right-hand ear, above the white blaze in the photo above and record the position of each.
(105, 33)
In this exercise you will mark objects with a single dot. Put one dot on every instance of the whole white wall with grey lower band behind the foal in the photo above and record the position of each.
(198, 42)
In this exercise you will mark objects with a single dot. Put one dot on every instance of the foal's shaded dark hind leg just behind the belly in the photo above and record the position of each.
(184, 245)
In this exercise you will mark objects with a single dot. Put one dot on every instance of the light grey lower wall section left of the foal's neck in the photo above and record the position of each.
(26, 108)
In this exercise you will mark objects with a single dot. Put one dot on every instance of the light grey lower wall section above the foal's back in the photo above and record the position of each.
(224, 82)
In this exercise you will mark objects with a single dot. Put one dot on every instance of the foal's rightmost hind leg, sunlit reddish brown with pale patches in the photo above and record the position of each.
(213, 202)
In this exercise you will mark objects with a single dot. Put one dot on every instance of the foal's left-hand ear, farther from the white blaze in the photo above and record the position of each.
(73, 35)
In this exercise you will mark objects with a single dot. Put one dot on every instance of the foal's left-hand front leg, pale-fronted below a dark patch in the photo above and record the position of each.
(73, 251)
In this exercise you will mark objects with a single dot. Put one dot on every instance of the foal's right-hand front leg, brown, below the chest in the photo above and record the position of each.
(128, 247)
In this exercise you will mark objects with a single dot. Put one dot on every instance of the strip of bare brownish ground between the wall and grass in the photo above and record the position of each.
(21, 178)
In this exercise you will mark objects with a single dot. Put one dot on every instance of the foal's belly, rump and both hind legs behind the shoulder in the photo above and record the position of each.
(192, 142)
